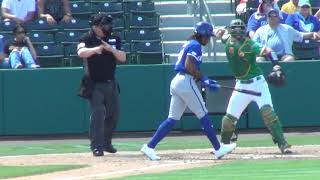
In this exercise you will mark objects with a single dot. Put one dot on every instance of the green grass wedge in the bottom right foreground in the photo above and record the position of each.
(245, 170)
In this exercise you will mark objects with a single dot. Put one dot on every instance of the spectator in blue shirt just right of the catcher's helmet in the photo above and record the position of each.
(259, 18)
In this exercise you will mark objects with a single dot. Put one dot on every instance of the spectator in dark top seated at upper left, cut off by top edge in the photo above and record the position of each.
(55, 10)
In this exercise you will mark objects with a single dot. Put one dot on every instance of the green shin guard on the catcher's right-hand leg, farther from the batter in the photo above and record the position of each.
(273, 124)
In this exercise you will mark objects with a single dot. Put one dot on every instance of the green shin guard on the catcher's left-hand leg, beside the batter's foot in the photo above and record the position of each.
(228, 128)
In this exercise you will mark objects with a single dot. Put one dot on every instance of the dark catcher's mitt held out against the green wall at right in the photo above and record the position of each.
(277, 77)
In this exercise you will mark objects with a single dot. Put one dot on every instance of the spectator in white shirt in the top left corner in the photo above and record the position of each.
(20, 11)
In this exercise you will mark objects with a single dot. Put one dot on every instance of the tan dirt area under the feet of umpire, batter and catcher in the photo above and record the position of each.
(133, 163)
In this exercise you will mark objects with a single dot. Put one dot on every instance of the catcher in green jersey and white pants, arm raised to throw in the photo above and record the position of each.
(241, 53)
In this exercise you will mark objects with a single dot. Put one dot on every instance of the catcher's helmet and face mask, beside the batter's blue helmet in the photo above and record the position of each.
(237, 29)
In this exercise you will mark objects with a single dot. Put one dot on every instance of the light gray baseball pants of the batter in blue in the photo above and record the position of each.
(184, 92)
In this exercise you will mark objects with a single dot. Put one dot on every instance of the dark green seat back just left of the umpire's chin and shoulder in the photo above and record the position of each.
(68, 37)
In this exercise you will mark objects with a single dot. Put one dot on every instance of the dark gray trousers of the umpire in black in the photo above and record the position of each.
(105, 108)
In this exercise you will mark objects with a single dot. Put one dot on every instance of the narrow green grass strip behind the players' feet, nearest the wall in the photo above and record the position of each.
(196, 142)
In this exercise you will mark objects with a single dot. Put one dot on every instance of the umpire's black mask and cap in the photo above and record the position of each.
(104, 21)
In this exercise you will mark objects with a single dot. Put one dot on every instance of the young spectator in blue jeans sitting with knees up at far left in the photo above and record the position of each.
(20, 51)
